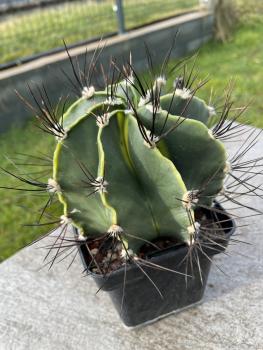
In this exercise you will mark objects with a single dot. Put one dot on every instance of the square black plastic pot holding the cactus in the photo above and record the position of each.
(139, 302)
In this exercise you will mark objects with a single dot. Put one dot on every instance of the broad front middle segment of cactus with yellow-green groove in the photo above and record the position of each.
(143, 201)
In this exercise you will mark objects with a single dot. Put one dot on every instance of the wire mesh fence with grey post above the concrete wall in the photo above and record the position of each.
(32, 27)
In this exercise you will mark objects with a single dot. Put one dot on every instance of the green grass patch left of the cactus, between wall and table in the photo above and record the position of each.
(19, 208)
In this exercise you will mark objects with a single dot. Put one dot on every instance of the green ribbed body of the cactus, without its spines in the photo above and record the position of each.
(145, 184)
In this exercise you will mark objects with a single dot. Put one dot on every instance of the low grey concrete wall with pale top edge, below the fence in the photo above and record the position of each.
(195, 29)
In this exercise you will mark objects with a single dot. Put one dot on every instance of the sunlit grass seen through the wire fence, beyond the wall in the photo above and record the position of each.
(40, 30)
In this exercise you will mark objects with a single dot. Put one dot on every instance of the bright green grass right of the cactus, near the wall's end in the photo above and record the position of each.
(242, 60)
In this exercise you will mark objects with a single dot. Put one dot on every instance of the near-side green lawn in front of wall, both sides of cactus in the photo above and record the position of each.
(241, 58)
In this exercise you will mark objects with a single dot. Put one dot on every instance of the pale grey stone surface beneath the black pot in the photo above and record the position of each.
(59, 309)
